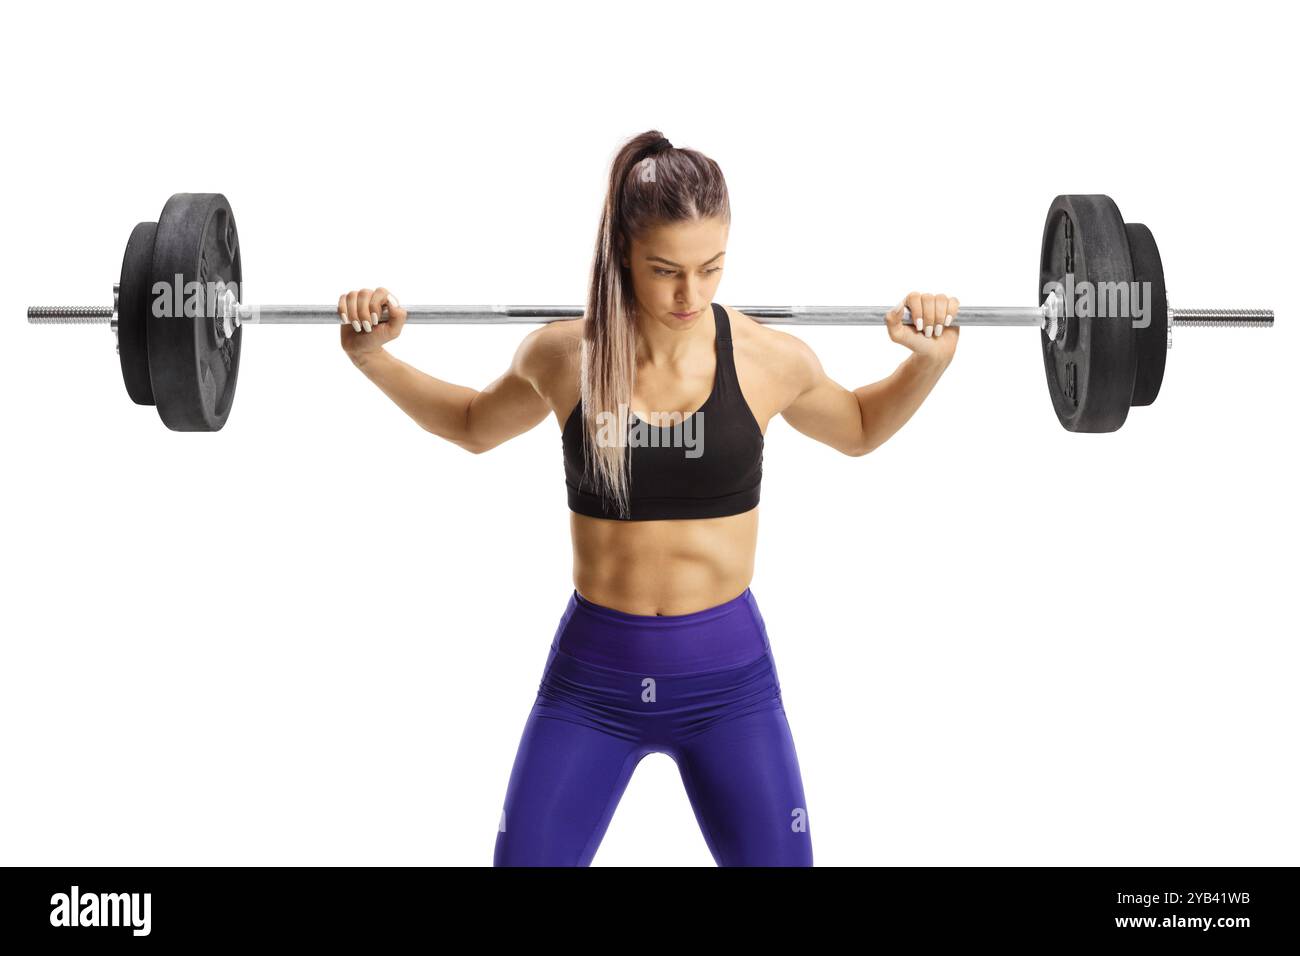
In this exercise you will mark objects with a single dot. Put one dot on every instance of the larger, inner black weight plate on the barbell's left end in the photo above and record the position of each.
(193, 366)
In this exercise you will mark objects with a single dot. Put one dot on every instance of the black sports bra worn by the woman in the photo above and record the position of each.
(708, 466)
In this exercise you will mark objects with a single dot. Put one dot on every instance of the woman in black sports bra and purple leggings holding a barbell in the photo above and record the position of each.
(662, 647)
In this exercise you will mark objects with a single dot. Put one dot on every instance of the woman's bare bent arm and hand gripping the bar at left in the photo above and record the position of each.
(473, 419)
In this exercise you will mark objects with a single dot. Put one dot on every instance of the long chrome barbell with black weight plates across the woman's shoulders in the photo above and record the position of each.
(1103, 314)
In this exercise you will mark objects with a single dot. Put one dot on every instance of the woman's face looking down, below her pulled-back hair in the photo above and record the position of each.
(675, 270)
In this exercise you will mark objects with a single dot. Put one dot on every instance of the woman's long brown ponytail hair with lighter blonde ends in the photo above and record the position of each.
(652, 183)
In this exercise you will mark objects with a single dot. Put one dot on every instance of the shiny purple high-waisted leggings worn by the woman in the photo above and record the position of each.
(617, 687)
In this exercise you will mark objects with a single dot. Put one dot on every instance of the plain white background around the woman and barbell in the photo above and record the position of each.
(314, 637)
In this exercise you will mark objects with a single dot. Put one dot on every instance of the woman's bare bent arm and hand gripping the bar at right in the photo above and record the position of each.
(863, 421)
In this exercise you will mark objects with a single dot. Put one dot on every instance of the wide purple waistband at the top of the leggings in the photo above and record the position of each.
(727, 635)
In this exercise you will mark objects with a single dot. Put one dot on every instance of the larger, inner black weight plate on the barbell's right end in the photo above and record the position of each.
(1091, 369)
